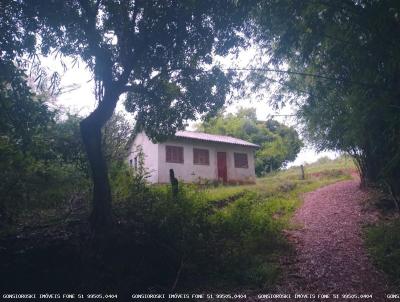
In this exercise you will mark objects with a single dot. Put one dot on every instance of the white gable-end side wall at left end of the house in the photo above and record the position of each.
(150, 151)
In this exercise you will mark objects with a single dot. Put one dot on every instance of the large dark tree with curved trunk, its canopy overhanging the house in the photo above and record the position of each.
(159, 53)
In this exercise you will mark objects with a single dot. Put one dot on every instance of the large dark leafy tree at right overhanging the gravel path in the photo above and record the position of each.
(343, 71)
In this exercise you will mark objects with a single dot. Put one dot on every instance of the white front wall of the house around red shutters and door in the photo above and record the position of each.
(189, 172)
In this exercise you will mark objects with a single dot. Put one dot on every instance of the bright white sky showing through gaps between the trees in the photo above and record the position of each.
(81, 100)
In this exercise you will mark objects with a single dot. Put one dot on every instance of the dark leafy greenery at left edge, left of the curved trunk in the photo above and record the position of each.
(34, 170)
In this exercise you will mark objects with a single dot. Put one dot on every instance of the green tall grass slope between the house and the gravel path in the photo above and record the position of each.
(231, 236)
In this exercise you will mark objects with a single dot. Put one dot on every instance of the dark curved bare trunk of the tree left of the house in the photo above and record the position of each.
(101, 217)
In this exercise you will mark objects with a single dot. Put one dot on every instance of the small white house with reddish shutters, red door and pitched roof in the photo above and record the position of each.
(196, 156)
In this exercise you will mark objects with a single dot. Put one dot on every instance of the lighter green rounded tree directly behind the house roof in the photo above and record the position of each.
(279, 144)
